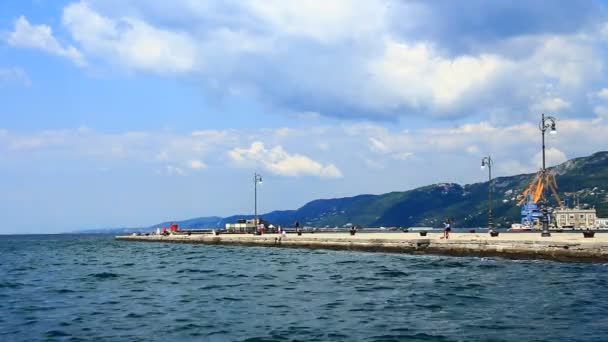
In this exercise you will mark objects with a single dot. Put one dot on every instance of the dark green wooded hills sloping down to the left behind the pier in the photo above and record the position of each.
(582, 179)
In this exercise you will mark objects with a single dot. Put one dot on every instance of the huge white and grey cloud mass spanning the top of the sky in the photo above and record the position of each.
(376, 59)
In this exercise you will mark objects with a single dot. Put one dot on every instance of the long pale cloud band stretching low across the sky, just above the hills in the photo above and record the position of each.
(395, 159)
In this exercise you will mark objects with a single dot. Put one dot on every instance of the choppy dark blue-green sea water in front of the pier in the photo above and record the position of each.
(83, 287)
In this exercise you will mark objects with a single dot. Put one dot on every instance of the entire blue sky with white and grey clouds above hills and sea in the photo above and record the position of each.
(126, 113)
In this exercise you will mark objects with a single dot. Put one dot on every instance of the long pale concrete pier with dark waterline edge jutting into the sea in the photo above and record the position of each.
(560, 246)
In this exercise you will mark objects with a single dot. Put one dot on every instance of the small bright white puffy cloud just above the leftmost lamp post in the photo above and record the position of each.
(280, 162)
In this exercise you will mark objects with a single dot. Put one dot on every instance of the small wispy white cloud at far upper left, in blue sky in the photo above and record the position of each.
(41, 37)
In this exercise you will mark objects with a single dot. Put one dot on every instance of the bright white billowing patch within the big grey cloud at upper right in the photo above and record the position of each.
(417, 76)
